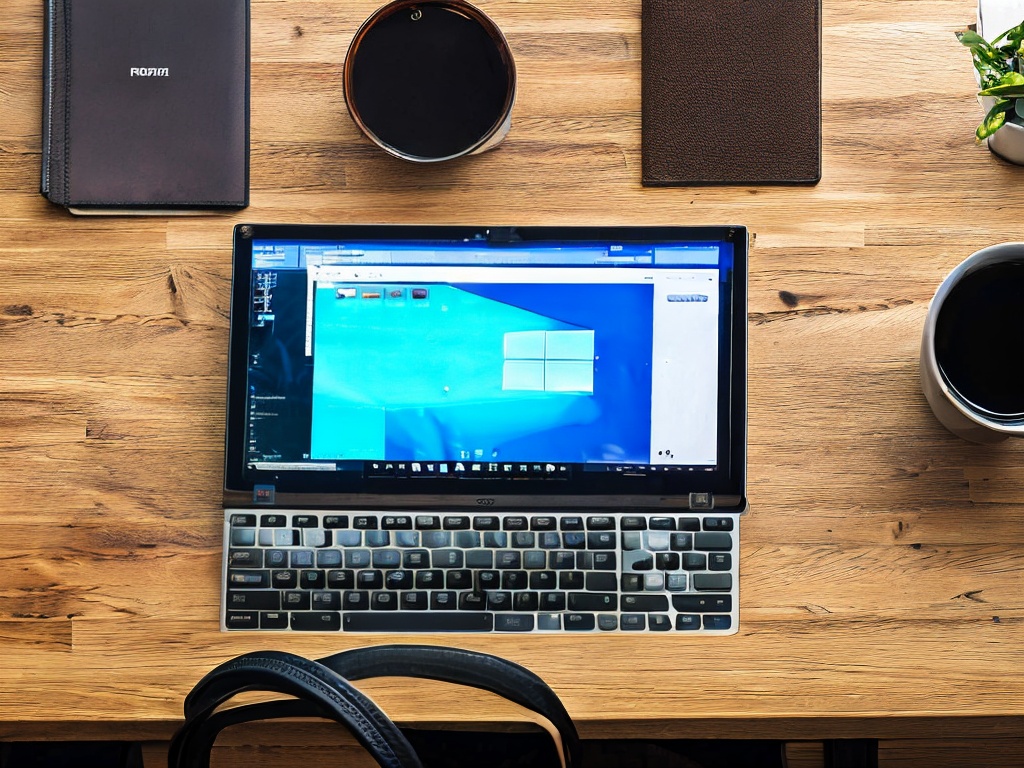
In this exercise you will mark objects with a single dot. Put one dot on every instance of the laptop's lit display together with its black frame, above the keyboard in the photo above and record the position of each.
(498, 363)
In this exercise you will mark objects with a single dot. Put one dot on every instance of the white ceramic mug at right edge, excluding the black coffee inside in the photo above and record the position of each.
(953, 410)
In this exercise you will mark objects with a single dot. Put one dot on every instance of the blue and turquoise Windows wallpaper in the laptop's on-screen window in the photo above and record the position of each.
(416, 371)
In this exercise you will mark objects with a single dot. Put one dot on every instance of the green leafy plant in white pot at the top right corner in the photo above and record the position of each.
(1001, 77)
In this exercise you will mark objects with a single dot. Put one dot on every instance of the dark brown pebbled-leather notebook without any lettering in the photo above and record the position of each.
(732, 93)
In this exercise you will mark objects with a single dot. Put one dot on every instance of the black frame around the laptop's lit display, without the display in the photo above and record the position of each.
(727, 483)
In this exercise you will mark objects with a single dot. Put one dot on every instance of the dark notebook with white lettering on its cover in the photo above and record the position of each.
(146, 105)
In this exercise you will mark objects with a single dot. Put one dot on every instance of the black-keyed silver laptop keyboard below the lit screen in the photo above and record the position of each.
(519, 573)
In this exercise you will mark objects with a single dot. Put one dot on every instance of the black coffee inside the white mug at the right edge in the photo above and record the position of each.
(979, 339)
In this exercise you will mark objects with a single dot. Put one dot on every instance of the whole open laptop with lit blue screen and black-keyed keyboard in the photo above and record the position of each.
(499, 430)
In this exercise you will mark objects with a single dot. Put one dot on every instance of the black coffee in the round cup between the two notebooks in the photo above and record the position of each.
(431, 88)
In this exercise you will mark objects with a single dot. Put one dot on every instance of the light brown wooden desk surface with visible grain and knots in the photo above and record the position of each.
(883, 564)
